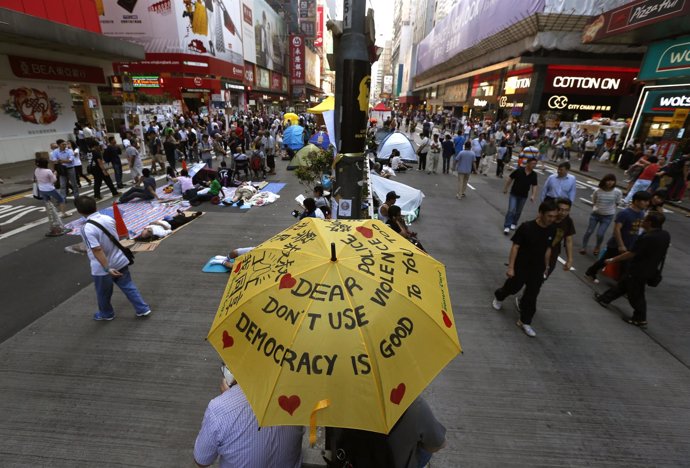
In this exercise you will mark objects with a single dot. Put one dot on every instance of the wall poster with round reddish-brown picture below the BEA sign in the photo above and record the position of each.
(35, 109)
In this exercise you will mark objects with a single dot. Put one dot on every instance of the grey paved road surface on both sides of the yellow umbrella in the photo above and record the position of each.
(589, 390)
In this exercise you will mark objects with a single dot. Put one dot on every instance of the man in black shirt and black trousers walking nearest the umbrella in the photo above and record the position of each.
(528, 265)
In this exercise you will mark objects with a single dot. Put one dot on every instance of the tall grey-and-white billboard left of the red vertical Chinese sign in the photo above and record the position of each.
(269, 34)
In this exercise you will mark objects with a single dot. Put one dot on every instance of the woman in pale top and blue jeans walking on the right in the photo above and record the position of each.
(604, 201)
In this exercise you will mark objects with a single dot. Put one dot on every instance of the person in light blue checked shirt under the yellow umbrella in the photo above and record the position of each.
(230, 431)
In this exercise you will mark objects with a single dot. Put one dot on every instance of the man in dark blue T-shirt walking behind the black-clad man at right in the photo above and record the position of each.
(626, 229)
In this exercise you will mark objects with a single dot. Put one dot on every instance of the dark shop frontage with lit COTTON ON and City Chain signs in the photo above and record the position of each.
(579, 93)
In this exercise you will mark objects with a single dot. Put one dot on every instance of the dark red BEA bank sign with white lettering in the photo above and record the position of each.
(35, 69)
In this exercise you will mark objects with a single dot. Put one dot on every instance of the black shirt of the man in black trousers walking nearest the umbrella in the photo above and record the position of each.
(533, 240)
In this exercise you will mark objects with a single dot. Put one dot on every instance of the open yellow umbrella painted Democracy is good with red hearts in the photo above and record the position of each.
(337, 322)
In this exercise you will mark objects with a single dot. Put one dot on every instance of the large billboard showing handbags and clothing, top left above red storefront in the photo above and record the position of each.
(210, 28)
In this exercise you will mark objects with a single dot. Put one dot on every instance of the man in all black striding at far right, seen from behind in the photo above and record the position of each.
(646, 260)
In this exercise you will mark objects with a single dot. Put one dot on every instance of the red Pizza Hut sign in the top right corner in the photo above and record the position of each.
(632, 16)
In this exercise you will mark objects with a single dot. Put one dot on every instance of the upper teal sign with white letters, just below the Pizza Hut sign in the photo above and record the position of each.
(667, 59)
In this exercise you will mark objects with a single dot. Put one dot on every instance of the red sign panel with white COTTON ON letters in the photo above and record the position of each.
(610, 81)
